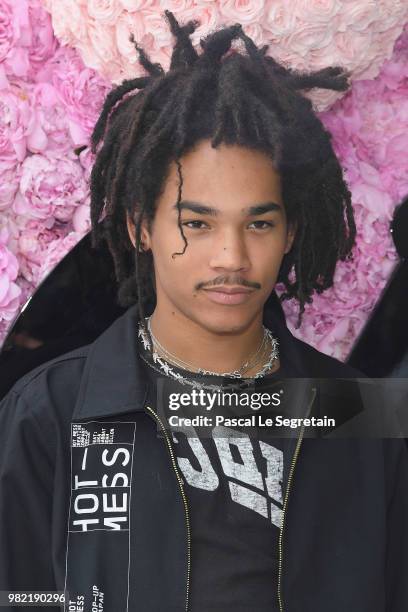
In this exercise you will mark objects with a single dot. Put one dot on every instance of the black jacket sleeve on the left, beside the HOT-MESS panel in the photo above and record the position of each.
(26, 485)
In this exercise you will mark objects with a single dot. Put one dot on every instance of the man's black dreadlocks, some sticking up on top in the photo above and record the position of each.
(242, 98)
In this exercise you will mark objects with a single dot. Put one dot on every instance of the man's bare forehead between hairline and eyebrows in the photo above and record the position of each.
(226, 172)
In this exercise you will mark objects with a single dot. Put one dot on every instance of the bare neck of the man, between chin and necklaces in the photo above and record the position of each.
(203, 348)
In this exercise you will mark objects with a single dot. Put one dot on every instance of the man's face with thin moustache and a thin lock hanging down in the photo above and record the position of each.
(235, 225)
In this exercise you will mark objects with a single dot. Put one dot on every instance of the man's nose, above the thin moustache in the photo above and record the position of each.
(229, 252)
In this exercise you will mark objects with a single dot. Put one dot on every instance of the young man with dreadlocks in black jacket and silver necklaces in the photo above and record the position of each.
(217, 180)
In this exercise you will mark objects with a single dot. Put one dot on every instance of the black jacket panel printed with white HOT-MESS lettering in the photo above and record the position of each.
(98, 524)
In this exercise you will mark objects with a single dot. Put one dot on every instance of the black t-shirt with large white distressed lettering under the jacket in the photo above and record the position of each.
(233, 478)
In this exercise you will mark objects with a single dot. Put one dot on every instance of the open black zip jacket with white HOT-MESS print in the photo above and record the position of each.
(110, 521)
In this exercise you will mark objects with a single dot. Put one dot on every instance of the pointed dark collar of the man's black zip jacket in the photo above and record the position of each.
(113, 381)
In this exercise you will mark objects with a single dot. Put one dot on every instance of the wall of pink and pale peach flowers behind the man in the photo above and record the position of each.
(59, 58)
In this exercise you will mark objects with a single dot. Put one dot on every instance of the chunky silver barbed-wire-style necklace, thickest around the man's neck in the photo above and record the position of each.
(166, 368)
